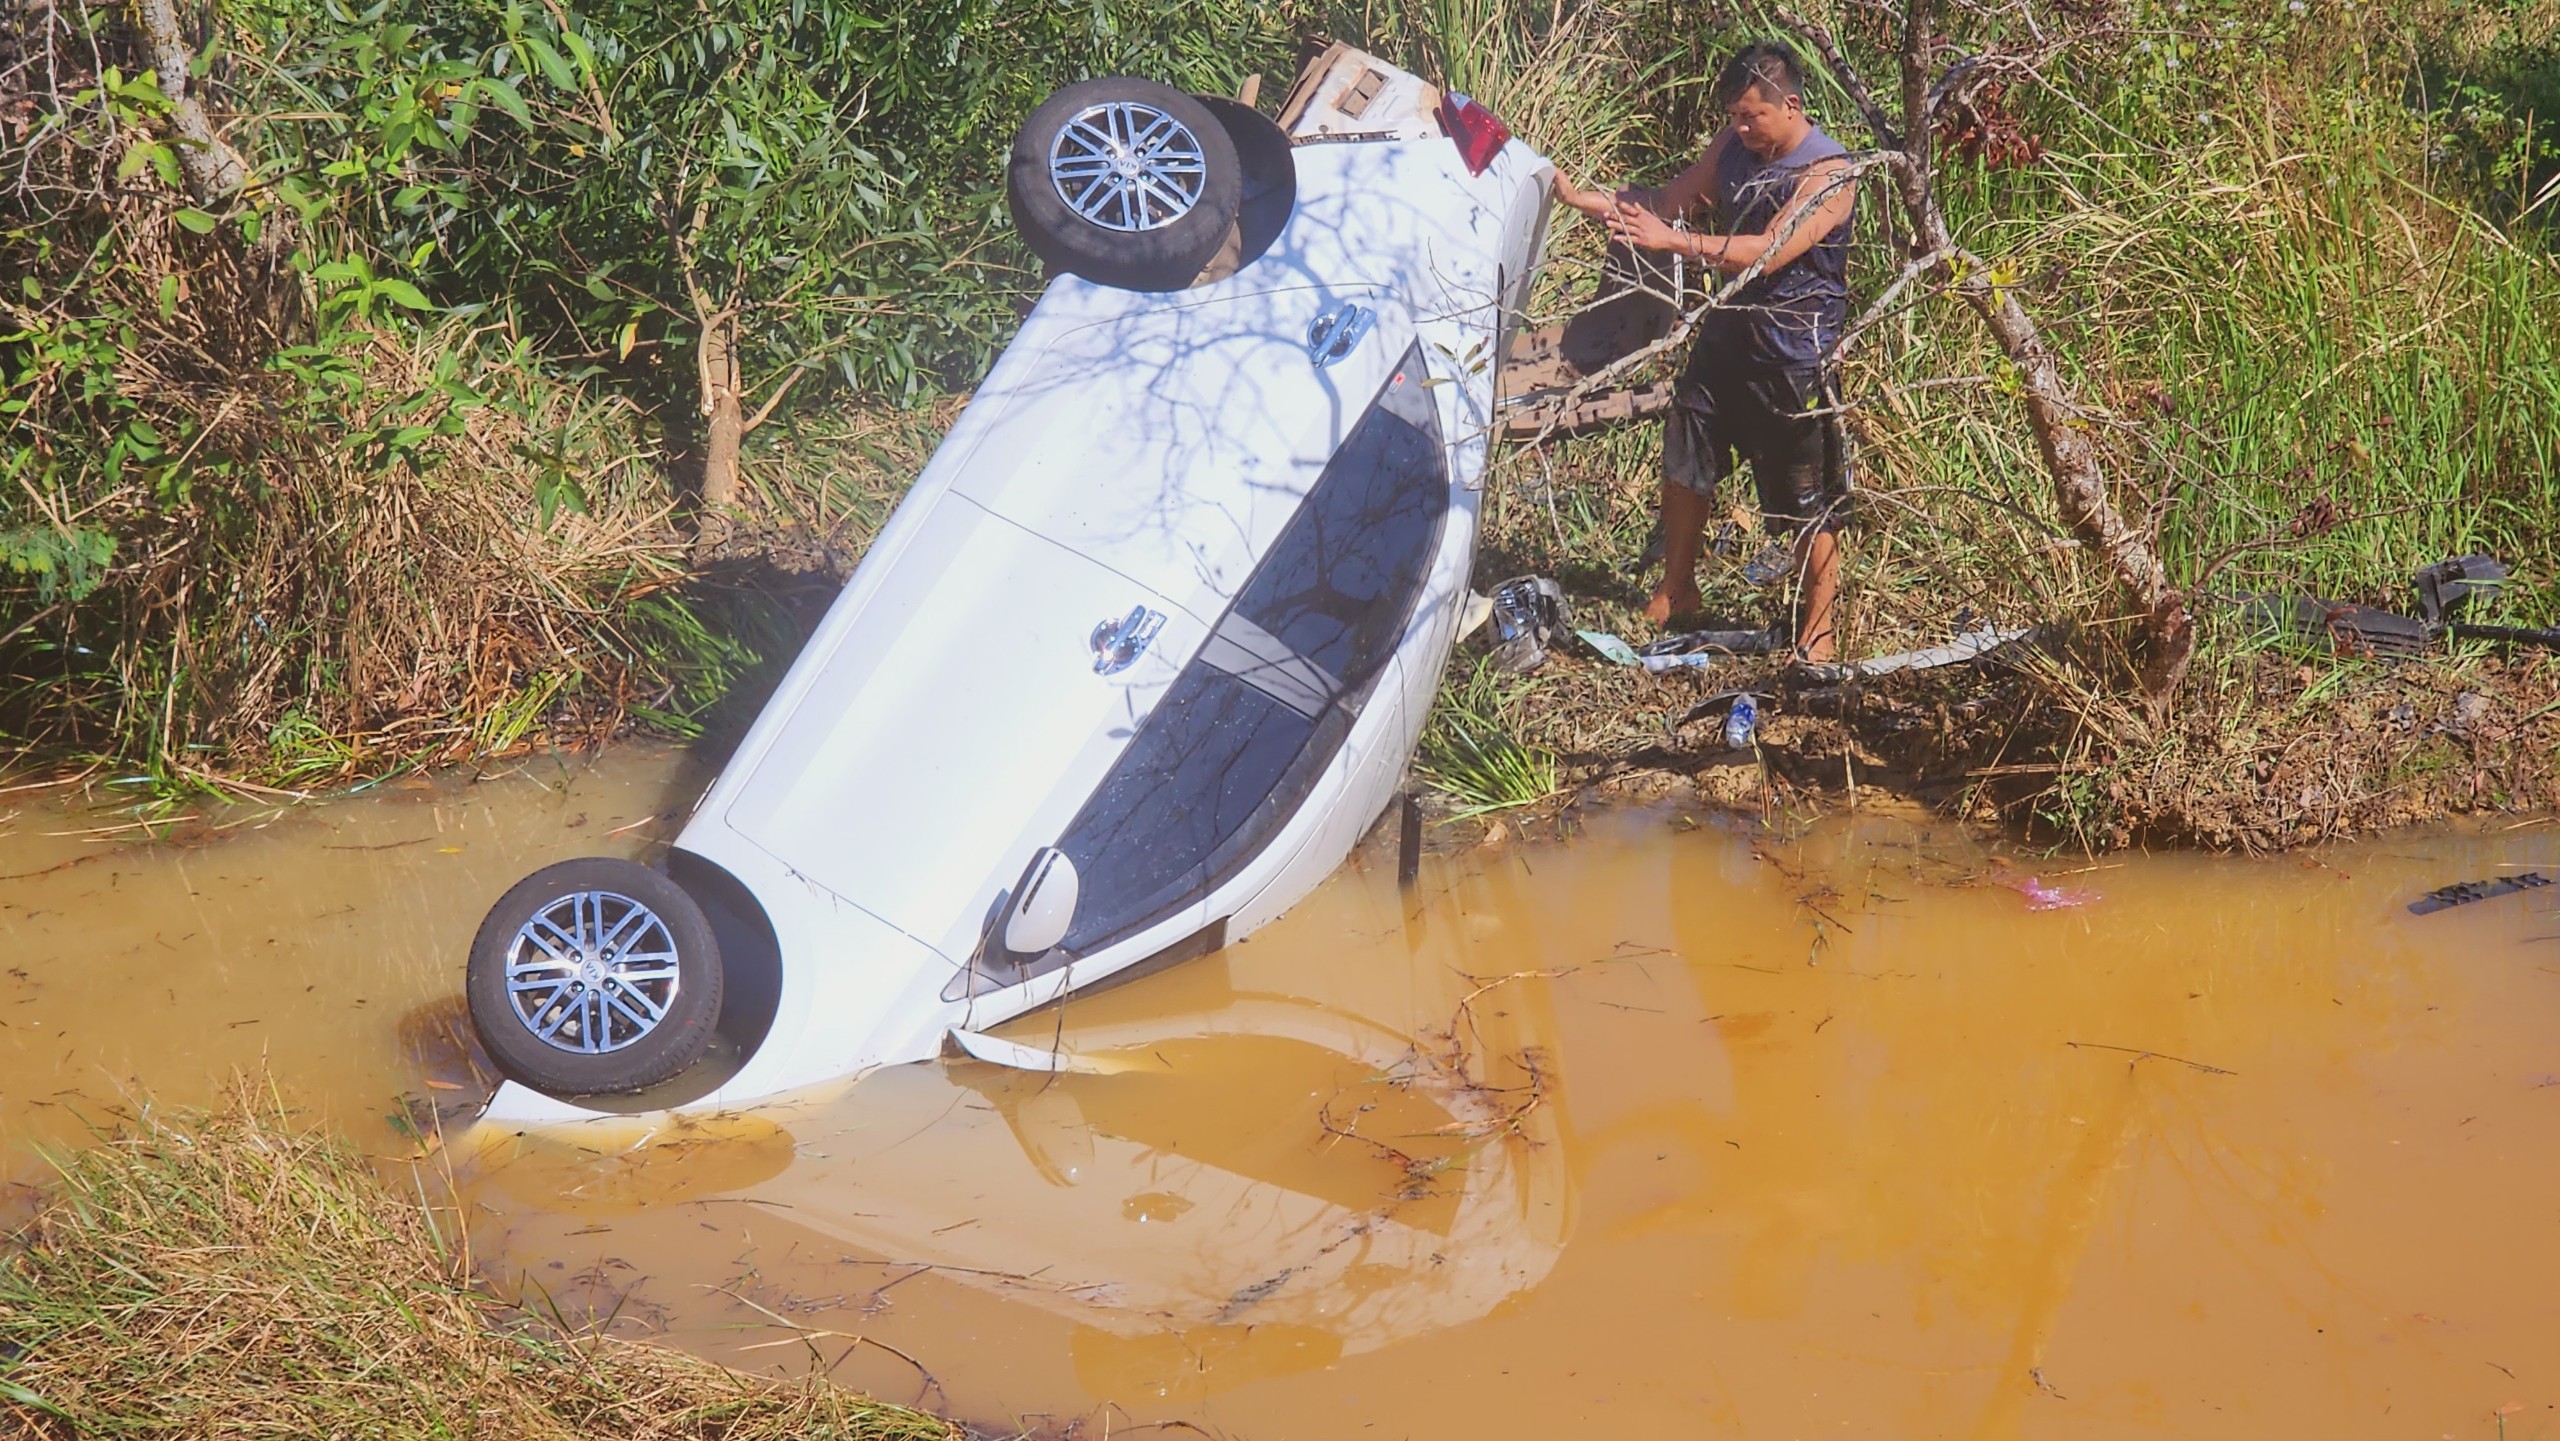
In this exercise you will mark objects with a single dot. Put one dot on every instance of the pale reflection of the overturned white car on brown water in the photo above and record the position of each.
(1240, 1163)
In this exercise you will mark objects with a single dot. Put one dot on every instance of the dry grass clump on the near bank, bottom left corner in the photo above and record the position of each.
(237, 1273)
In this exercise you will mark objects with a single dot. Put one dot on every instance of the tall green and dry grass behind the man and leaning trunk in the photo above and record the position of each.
(2310, 365)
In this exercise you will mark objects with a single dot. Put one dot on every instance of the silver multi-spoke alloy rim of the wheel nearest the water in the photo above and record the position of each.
(593, 974)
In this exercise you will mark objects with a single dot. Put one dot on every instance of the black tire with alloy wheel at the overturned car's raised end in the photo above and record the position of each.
(1125, 183)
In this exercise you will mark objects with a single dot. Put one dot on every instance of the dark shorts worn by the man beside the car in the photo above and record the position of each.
(1757, 413)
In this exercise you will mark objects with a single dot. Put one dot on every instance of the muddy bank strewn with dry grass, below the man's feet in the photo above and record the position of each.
(2267, 751)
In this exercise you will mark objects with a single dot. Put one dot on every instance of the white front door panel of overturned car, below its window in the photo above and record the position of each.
(920, 715)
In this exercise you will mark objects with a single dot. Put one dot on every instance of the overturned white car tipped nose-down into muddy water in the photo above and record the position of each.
(1140, 654)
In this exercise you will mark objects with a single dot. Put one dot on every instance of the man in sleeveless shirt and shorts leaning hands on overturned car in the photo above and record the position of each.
(1783, 196)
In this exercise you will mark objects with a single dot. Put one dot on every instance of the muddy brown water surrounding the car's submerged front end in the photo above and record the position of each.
(1673, 1127)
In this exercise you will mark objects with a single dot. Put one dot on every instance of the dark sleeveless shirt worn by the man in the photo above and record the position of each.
(1788, 319)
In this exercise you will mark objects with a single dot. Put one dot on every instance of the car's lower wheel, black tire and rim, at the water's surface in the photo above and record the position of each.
(593, 979)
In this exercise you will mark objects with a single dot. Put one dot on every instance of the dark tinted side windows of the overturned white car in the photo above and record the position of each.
(1256, 718)
